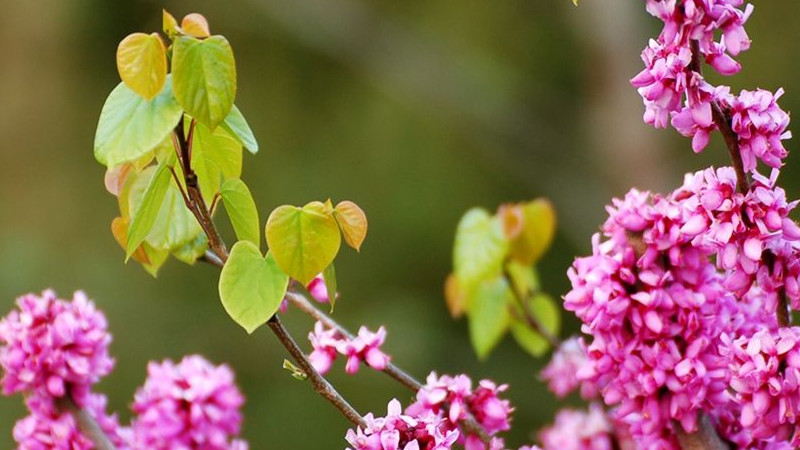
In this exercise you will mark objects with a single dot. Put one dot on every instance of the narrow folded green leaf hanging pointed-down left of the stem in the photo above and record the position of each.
(144, 215)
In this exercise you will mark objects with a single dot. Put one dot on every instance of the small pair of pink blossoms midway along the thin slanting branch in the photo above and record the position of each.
(327, 343)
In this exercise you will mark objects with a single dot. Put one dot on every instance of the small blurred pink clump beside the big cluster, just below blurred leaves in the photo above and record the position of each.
(568, 370)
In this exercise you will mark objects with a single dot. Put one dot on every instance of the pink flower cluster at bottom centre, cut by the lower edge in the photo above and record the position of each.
(434, 419)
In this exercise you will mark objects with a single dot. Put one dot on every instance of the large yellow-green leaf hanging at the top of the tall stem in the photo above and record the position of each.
(204, 72)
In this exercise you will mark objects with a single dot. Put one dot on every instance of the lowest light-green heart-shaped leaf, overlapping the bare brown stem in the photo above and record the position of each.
(251, 287)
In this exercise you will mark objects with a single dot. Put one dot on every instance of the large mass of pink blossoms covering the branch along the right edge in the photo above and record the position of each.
(685, 297)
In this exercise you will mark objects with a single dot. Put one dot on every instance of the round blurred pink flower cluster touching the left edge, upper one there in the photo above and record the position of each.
(51, 347)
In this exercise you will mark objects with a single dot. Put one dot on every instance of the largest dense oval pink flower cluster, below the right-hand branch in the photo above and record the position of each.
(654, 305)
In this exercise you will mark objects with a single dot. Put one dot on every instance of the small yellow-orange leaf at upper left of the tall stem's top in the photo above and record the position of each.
(142, 63)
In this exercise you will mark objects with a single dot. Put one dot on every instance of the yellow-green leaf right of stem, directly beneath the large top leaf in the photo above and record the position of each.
(216, 156)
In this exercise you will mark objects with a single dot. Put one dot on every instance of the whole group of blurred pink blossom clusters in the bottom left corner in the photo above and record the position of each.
(53, 351)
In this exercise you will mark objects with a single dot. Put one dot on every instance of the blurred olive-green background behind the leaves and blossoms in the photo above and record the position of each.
(416, 110)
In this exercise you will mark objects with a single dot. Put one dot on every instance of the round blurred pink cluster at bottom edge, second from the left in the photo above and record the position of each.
(189, 405)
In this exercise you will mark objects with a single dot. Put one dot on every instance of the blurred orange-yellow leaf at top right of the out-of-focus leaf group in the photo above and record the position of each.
(538, 229)
